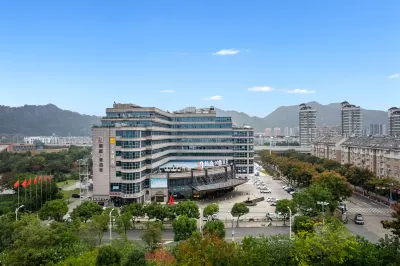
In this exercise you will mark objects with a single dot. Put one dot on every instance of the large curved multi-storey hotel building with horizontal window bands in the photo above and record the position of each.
(134, 144)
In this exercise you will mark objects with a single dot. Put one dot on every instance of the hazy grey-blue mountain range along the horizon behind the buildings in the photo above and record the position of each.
(45, 120)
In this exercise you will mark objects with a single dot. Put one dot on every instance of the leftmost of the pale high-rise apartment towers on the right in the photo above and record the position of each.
(307, 124)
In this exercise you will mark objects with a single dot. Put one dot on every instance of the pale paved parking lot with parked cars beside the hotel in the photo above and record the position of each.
(249, 190)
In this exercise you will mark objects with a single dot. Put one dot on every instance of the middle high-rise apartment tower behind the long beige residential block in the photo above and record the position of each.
(351, 120)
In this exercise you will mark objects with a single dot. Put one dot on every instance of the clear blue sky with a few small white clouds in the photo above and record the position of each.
(84, 55)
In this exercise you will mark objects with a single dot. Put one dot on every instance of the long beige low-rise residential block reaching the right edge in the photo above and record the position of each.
(379, 154)
